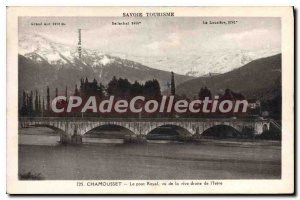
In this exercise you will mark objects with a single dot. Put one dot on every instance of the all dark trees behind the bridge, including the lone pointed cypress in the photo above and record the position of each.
(34, 105)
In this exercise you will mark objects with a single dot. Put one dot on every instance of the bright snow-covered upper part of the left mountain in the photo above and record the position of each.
(41, 49)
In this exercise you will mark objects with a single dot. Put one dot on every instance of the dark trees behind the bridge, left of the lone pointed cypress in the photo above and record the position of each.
(120, 88)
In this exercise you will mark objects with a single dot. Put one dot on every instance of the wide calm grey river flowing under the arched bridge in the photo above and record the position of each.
(105, 158)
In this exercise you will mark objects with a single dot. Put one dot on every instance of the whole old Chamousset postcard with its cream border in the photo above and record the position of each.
(150, 98)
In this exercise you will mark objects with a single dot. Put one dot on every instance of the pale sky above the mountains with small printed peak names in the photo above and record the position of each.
(164, 36)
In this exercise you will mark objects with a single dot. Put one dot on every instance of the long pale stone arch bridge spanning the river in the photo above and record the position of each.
(71, 127)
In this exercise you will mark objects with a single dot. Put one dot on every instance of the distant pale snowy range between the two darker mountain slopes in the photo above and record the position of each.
(202, 63)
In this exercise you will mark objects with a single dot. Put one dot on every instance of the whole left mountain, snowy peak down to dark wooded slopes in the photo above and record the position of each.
(43, 63)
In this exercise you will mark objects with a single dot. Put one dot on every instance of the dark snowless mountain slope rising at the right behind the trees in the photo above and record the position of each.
(260, 79)
